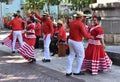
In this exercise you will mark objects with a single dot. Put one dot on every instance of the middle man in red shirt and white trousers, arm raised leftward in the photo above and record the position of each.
(47, 27)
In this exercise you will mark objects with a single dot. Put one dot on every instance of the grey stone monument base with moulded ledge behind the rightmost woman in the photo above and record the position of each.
(109, 11)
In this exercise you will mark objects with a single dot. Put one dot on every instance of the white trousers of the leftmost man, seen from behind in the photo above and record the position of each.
(17, 35)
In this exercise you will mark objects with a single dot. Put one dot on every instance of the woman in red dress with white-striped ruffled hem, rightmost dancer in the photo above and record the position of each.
(96, 58)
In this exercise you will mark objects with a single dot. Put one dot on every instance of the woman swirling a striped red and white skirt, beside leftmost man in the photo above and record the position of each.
(27, 50)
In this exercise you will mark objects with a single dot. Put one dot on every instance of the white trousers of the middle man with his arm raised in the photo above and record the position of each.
(47, 41)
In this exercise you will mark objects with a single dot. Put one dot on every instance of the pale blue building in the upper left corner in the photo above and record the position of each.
(9, 7)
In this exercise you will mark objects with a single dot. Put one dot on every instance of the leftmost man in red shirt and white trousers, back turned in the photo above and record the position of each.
(17, 28)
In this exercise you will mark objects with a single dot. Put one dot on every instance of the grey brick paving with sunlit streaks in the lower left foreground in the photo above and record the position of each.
(14, 69)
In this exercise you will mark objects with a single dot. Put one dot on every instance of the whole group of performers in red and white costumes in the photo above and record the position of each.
(93, 59)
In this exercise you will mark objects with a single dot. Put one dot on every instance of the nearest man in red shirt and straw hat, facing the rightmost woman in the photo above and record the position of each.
(77, 31)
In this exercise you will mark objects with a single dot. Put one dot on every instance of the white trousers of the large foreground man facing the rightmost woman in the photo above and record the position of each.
(76, 48)
